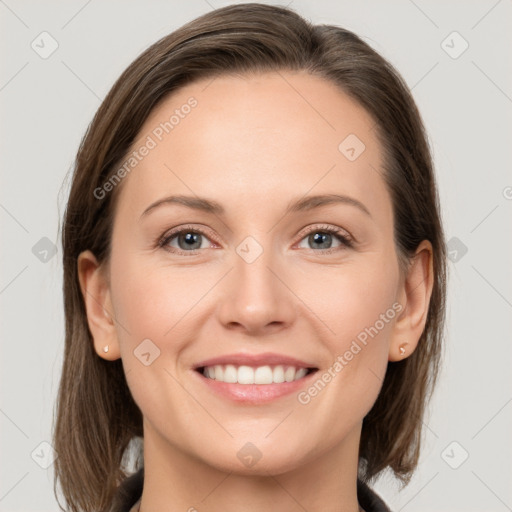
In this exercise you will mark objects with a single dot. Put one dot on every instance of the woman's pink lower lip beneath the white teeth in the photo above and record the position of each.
(255, 393)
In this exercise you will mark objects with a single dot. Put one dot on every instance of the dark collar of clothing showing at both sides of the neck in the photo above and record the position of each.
(131, 491)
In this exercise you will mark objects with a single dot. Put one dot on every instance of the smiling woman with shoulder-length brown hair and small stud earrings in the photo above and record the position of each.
(254, 275)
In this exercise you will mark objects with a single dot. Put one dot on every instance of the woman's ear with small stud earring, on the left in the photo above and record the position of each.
(96, 293)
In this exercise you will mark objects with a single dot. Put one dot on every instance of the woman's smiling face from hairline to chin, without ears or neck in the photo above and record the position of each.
(268, 280)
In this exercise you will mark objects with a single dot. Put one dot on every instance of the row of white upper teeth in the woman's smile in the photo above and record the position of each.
(249, 375)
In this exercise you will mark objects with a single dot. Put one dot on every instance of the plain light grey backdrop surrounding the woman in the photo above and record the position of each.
(466, 103)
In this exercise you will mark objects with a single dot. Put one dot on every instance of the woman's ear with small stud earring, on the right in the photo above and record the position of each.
(414, 296)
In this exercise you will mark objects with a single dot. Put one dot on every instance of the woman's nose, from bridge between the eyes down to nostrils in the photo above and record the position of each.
(257, 296)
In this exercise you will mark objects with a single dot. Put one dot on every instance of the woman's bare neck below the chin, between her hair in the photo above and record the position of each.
(176, 480)
